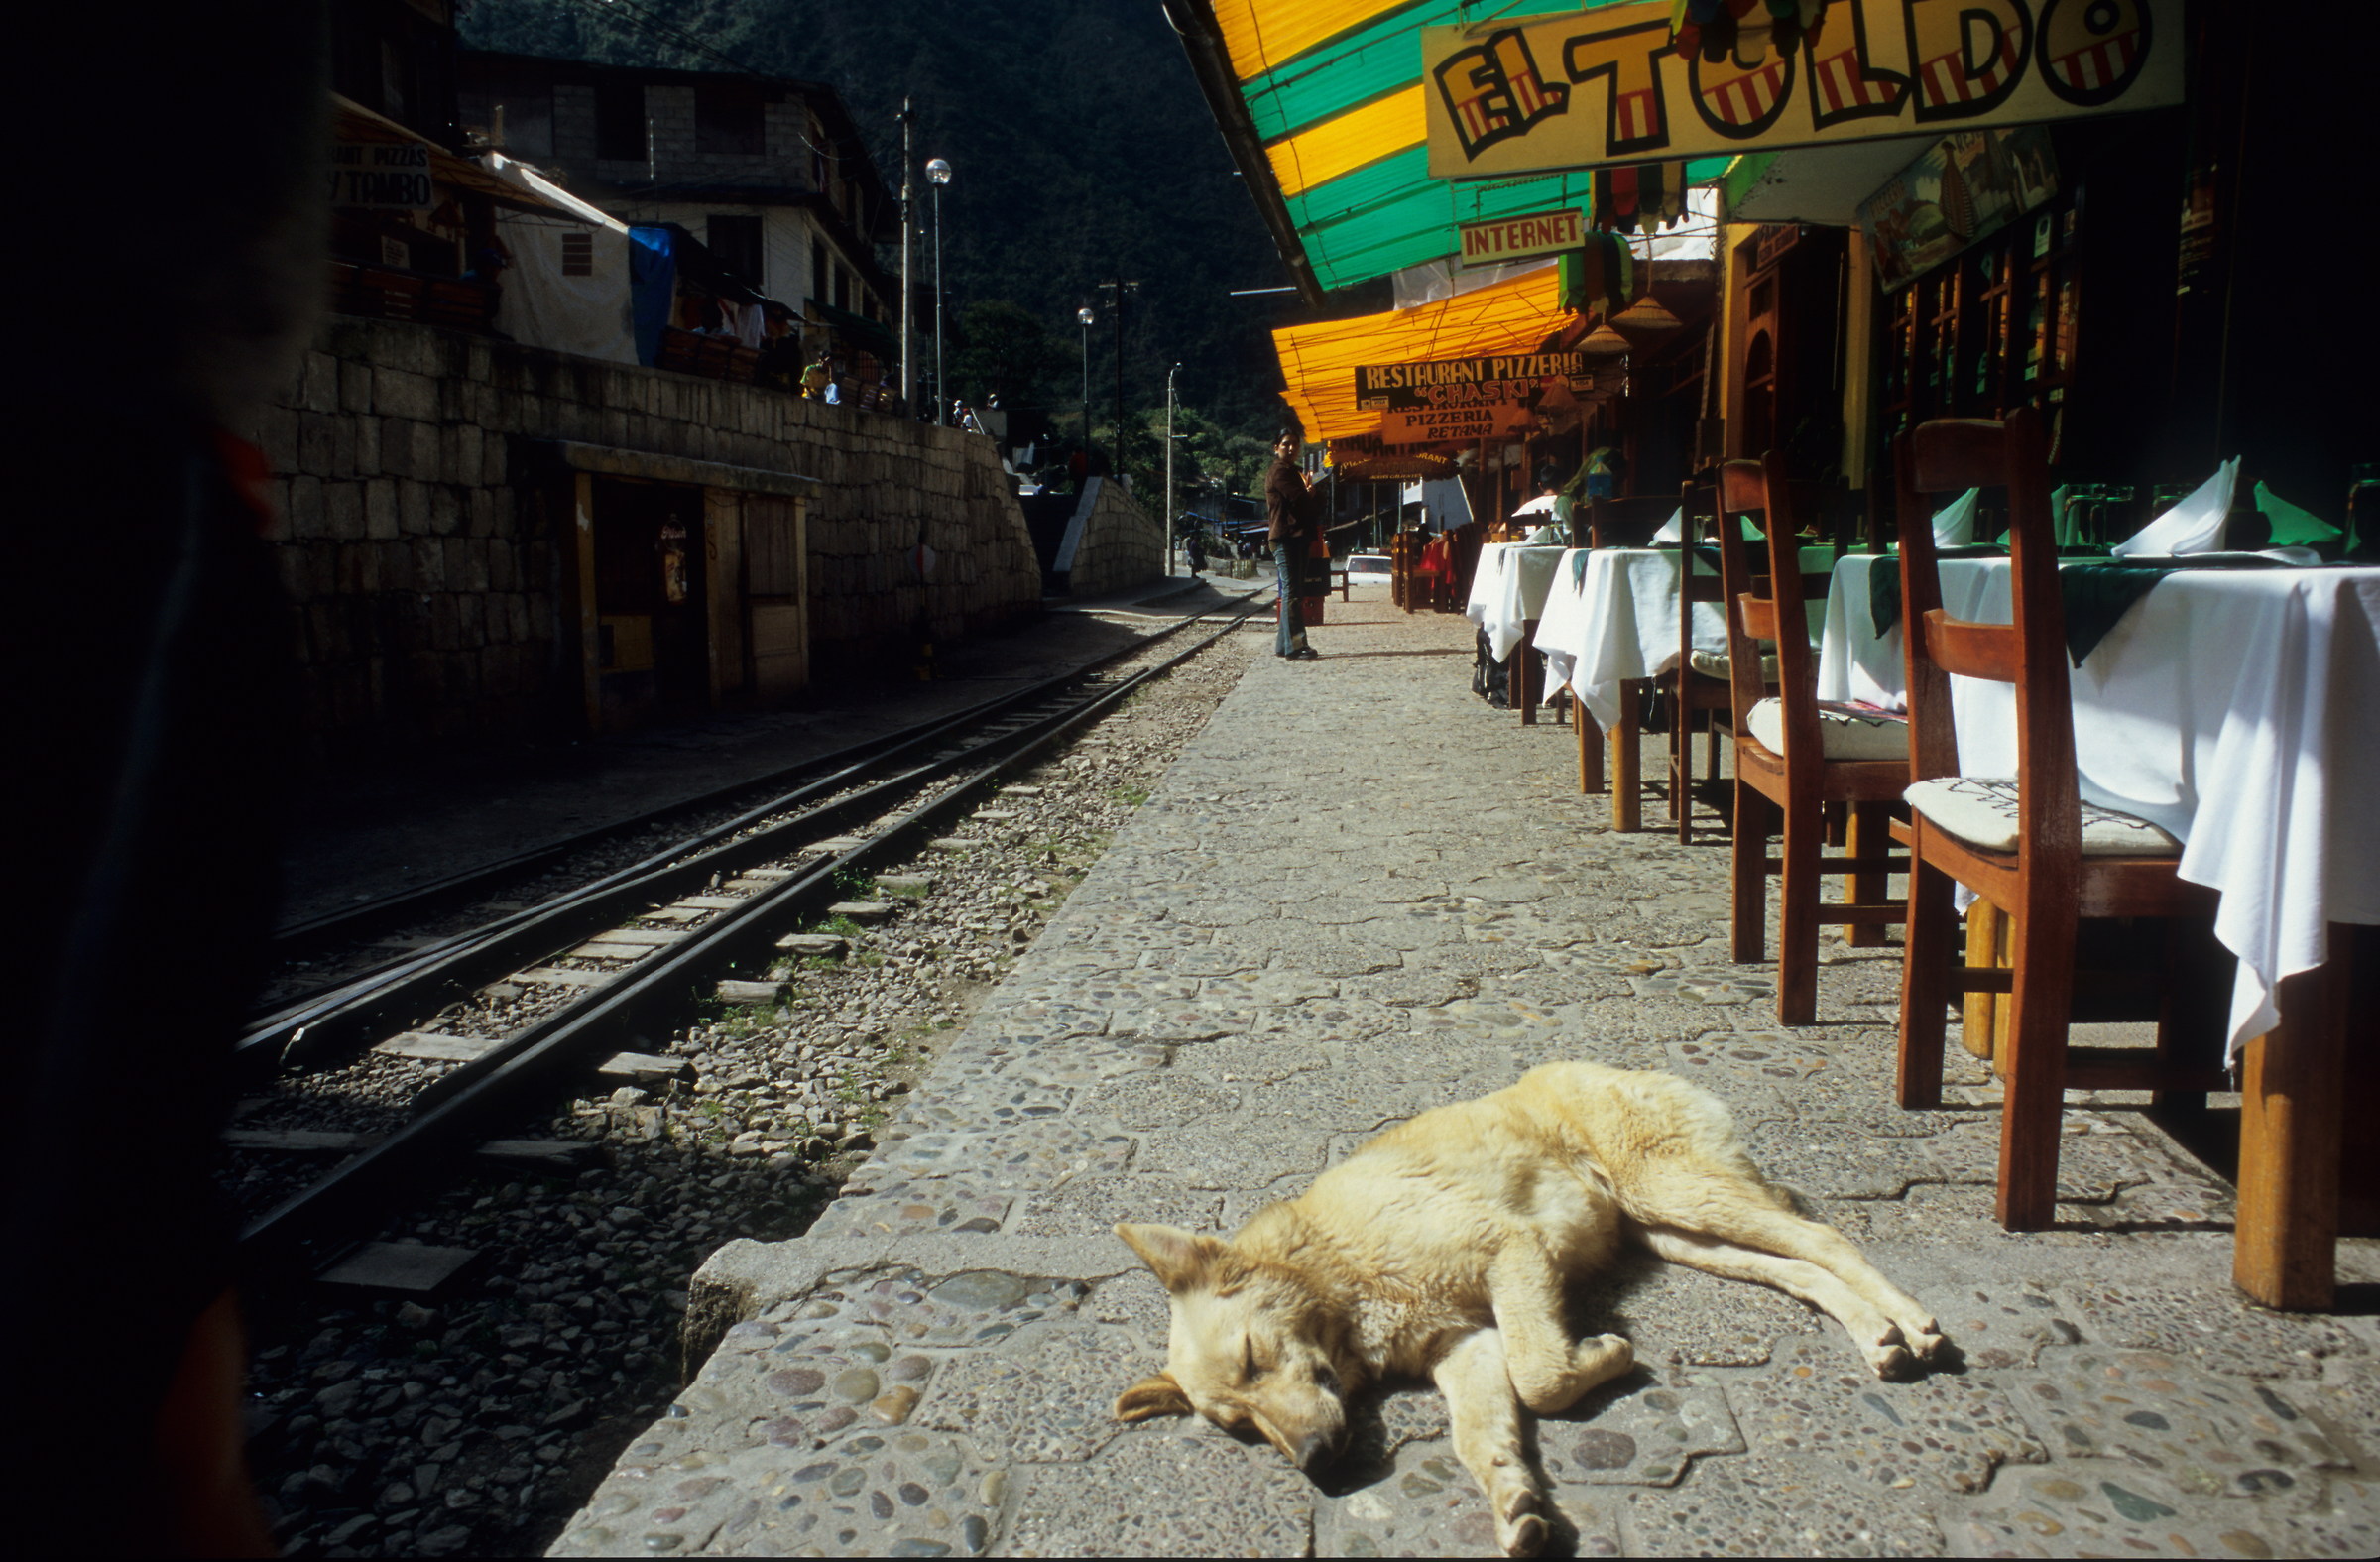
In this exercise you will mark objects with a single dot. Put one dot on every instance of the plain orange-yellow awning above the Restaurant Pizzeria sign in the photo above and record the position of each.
(1320, 361)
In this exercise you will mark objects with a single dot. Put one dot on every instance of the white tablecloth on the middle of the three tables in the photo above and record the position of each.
(1615, 616)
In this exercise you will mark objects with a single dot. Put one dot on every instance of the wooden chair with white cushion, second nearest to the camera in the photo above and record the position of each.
(1793, 758)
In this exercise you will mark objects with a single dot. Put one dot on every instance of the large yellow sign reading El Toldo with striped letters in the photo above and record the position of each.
(1610, 85)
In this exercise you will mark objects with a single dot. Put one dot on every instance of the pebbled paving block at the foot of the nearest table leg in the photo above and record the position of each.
(2219, 1332)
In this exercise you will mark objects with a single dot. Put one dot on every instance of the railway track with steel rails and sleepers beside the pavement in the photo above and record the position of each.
(632, 949)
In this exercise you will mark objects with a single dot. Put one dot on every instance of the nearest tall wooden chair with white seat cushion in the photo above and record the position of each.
(2031, 849)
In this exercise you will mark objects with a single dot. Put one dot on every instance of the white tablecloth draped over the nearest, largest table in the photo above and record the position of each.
(2229, 708)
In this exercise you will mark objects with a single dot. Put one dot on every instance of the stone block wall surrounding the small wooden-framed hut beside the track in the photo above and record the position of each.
(420, 530)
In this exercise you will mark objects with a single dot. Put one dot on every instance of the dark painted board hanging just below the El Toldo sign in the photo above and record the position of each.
(1960, 189)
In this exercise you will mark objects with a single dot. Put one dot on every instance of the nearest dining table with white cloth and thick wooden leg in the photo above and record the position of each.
(2236, 711)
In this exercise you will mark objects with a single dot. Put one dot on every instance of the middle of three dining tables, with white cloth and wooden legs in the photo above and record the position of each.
(1610, 627)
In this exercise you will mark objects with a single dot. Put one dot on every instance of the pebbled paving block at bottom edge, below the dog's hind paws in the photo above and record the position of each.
(1765, 1506)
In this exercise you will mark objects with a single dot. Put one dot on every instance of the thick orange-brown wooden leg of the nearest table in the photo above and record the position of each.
(2291, 1120)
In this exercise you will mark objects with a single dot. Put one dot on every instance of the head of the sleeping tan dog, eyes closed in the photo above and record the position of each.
(1251, 1347)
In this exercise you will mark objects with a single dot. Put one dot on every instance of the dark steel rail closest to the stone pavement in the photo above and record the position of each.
(506, 1077)
